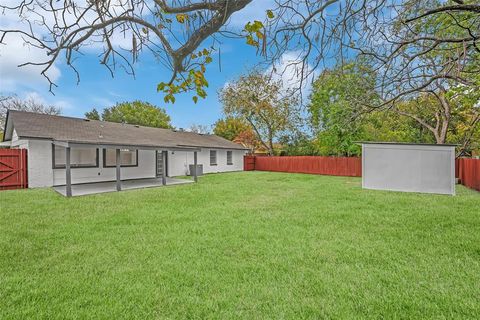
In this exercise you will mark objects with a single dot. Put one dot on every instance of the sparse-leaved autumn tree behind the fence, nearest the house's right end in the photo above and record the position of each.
(263, 103)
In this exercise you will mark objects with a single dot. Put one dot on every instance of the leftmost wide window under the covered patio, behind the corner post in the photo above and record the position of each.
(79, 157)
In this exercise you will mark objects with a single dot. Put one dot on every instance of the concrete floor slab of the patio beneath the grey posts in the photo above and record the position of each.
(102, 187)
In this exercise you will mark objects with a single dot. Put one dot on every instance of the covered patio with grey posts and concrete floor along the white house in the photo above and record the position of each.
(78, 189)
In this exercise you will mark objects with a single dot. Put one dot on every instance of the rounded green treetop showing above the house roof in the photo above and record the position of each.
(135, 112)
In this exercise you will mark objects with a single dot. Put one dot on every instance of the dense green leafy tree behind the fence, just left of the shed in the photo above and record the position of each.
(336, 110)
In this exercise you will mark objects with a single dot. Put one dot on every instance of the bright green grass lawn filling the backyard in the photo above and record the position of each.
(241, 245)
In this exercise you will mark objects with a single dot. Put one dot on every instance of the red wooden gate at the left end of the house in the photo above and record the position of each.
(13, 169)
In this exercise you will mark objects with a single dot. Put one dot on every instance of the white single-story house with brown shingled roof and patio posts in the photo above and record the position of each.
(65, 151)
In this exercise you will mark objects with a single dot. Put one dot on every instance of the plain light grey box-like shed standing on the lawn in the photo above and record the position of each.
(406, 167)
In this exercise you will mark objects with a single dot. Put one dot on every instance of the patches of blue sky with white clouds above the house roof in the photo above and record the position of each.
(98, 89)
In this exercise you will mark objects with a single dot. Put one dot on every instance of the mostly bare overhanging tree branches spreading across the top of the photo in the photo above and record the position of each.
(184, 35)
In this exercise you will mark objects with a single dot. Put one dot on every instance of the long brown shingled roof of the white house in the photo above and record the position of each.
(76, 130)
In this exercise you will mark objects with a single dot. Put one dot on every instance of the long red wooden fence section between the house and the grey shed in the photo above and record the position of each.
(334, 166)
